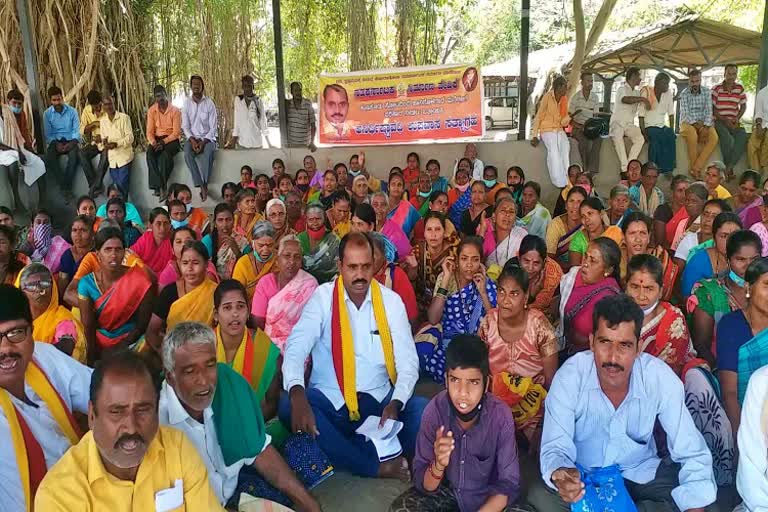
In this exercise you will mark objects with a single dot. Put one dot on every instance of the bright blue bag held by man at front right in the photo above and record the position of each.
(604, 491)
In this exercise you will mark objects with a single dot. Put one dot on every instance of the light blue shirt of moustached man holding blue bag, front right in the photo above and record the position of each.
(582, 426)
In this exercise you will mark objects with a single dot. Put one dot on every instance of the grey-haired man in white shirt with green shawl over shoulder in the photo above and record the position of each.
(187, 404)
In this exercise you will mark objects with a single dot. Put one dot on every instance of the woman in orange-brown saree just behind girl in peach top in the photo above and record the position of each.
(544, 275)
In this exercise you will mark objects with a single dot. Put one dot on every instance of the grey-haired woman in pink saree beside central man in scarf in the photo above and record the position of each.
(280, 296)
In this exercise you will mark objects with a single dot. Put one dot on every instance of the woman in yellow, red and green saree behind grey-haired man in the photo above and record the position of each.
(249, 352)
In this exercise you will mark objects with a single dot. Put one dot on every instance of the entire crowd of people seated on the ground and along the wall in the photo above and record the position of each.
(188, 359)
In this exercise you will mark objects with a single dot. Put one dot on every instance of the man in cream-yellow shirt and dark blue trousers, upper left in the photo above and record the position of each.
(117, 137)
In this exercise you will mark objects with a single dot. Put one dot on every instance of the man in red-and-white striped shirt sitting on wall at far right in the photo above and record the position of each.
(729, 102)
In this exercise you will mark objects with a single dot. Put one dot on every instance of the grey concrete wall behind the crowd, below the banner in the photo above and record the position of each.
(379, 159)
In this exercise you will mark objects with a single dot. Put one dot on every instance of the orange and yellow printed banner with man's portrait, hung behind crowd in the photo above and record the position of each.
(401, 105)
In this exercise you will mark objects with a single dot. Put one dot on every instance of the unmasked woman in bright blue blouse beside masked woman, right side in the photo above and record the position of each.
(712, 261)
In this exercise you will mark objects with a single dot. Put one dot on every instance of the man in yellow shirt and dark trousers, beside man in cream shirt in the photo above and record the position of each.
(90, 131)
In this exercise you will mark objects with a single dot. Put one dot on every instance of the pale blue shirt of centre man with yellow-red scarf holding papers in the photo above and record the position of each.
(312, 335)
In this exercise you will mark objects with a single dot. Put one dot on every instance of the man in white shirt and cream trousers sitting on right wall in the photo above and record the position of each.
(623, 119)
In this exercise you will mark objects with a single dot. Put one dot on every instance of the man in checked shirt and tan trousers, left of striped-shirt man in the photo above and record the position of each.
(696, 128)
